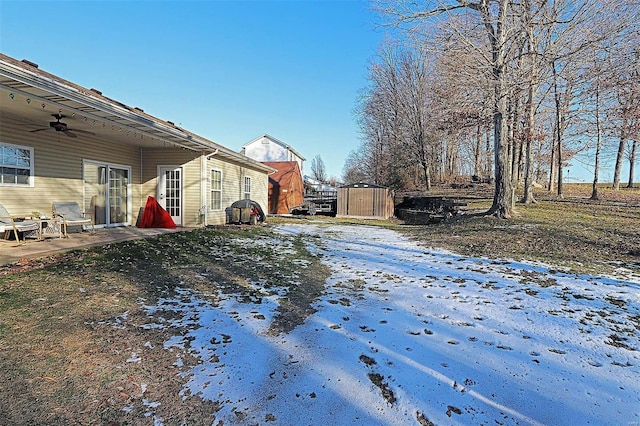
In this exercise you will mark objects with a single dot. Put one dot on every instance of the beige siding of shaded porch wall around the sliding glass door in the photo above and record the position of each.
(58, 166)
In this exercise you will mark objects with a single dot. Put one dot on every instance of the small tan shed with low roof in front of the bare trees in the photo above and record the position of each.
(365, 201)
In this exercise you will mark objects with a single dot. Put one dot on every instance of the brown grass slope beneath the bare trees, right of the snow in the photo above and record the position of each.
(573, 232)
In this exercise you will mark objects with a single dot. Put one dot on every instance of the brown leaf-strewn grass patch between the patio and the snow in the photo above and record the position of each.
(66, 344)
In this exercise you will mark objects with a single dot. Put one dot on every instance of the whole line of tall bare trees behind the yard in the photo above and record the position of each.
(506, 91)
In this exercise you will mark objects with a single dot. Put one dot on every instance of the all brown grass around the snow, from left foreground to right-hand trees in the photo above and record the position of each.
(64, 342)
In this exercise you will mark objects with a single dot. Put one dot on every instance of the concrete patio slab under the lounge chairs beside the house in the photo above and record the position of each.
(11, 252)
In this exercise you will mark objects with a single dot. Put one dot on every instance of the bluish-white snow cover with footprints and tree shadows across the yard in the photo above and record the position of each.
(409, 335)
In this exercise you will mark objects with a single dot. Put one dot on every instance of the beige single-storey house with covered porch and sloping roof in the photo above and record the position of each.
(62, 142)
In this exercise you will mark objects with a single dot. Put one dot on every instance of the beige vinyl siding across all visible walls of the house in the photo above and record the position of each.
(58, 167)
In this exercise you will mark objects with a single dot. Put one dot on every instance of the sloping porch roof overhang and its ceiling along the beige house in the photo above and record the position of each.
(30, 97)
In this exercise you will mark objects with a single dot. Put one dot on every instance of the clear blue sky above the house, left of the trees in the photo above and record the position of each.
(227, 70)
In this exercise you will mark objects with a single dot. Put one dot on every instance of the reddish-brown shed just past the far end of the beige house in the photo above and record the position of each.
(286, 188)
